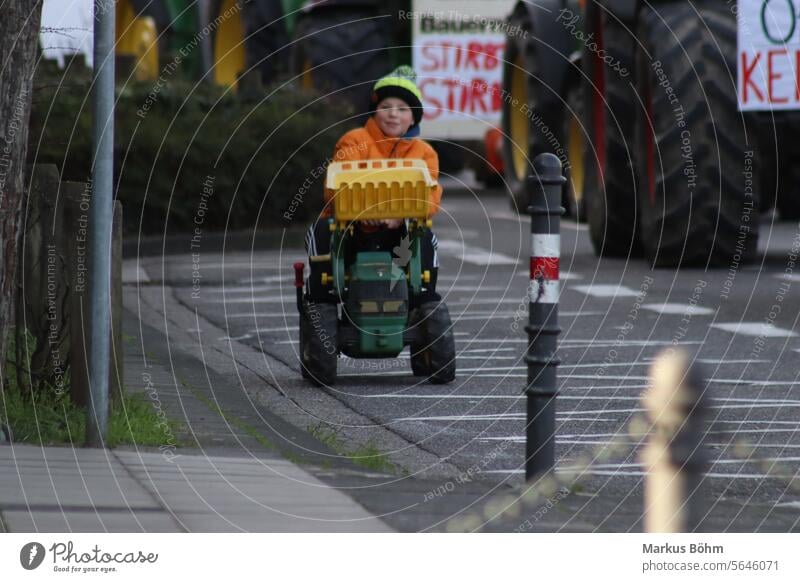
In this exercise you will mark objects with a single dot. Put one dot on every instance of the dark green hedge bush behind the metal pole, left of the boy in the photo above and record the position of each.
(259, 151)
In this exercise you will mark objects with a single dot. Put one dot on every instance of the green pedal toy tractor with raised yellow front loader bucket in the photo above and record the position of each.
(372, 308)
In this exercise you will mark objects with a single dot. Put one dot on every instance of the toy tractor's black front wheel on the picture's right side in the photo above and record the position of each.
(434, 355)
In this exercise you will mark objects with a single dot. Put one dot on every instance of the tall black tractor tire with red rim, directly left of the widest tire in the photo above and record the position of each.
(609, 96)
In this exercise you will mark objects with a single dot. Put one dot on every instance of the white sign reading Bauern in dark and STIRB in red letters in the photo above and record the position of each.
(458, 57)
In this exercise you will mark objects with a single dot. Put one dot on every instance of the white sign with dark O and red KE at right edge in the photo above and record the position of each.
(768, 54)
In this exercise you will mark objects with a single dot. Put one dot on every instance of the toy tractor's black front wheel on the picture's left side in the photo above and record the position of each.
(318, 343)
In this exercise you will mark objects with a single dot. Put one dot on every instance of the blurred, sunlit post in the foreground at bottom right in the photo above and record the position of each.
(674, 457)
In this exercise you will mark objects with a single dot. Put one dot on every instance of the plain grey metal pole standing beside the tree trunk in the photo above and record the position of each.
(101, 220)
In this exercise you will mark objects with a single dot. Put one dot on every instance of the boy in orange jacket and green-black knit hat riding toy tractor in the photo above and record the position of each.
(390, 132)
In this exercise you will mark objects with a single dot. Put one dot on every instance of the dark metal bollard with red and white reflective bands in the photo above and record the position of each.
(544, 190)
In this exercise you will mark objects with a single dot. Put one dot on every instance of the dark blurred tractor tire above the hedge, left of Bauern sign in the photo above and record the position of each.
(343, 50)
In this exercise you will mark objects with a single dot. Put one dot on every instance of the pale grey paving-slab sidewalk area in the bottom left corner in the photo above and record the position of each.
(61, 489)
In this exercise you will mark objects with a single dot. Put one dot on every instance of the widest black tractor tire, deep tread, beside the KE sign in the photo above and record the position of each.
(696, 205)
